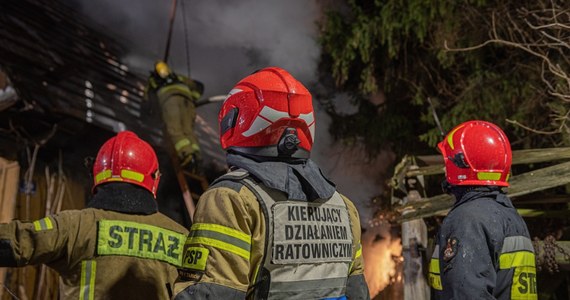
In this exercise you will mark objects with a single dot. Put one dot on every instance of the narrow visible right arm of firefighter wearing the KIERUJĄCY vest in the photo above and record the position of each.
(356, 285)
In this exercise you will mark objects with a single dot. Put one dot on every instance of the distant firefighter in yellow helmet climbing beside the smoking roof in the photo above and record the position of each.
(176, 95)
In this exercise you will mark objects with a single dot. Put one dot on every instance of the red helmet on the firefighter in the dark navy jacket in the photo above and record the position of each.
(476, 153)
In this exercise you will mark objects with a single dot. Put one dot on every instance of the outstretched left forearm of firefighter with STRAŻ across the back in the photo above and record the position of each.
(28, 243)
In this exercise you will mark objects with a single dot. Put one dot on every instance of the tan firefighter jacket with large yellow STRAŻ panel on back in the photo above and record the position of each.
(100, 254)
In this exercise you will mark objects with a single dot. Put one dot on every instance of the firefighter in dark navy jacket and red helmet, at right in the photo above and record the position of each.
(483, 249)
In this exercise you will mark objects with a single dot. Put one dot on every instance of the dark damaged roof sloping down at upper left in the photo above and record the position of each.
(63, 66)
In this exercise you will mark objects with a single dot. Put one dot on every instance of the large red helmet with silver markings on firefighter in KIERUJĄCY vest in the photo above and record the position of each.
(268, 113)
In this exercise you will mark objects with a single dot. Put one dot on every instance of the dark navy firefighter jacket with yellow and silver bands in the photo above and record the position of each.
(483, 251)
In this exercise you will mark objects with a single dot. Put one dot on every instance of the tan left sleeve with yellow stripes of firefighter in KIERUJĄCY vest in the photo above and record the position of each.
(218, 252)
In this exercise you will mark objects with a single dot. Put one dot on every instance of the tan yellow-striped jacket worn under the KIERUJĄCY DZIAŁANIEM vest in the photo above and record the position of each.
(226, 249)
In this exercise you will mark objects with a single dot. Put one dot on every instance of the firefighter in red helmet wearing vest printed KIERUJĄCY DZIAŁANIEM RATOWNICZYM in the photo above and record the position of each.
(273, 227)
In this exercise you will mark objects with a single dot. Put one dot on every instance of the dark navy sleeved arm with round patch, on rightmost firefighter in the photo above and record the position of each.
(466, 259)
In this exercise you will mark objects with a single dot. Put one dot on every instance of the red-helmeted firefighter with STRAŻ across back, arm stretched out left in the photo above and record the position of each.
(120, 246)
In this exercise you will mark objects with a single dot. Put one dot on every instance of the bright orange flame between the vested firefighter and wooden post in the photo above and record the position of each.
(378, 251)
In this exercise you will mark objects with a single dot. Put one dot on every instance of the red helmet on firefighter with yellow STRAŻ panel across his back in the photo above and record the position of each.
(127, 158)
